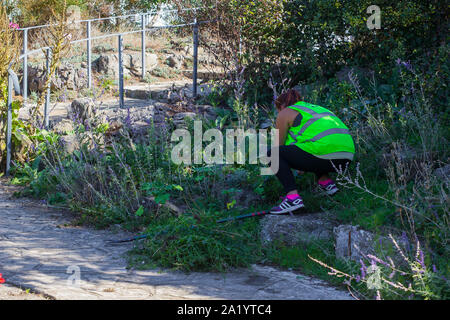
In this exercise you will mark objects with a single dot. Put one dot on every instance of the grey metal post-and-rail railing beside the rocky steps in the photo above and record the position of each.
(142, 18)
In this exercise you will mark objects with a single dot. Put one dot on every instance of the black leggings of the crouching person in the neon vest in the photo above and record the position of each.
(292, 157)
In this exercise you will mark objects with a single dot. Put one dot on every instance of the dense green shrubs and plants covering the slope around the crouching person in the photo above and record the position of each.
(389, 85)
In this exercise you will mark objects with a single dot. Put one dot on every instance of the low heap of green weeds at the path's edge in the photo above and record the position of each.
(190, 244)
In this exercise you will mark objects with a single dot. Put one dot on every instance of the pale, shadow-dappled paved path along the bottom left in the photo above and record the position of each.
(41, 252)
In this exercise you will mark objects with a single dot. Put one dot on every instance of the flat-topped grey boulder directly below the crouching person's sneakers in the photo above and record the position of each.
(297, 229)
